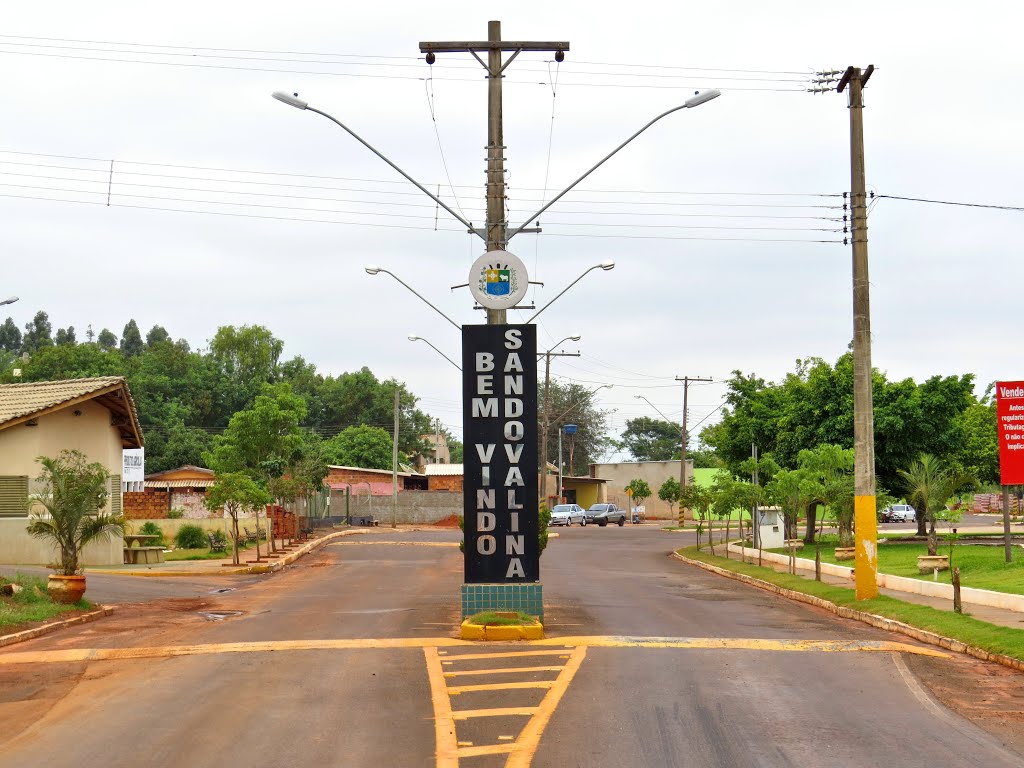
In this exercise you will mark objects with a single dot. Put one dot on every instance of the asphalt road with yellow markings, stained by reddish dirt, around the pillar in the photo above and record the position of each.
(349, 659)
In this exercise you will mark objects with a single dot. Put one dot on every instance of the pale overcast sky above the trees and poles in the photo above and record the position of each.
(147, 174)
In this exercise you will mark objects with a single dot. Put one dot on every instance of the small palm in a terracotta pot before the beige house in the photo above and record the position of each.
(72, 493)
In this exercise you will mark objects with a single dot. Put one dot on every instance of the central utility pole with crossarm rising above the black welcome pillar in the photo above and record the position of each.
(497, 227)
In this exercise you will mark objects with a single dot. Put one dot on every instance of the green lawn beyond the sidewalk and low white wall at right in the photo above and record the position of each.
(982, 567)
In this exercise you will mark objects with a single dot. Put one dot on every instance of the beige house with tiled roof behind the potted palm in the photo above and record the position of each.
(96, 416)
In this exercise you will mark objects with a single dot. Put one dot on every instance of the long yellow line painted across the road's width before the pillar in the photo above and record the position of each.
(166, 652)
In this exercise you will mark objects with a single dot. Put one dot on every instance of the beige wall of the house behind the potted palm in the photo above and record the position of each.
(90, 433)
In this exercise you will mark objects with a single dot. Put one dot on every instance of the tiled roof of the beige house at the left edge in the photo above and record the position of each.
(25, 401)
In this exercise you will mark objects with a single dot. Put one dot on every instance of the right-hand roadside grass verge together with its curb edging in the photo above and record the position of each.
(959, 633)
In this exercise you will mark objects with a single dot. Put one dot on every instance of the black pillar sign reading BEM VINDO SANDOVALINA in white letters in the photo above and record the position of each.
(499, 365)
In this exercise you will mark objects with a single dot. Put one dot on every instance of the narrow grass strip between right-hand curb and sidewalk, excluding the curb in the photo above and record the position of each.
(958, 626)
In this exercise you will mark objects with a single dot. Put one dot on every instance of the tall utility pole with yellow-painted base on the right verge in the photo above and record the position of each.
(866, 523)
